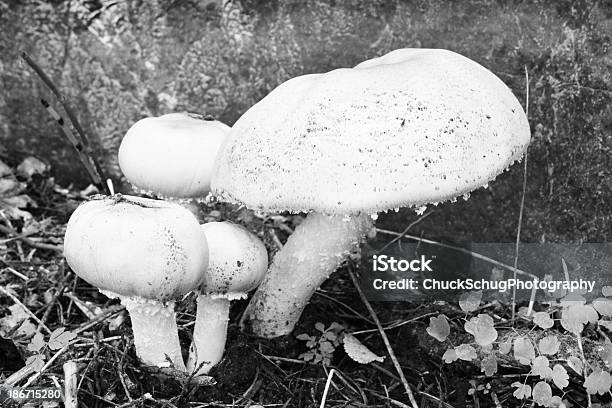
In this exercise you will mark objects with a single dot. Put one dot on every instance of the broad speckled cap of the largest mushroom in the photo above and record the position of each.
(415, 126)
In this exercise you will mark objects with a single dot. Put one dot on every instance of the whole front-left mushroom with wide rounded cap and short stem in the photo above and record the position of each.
(148, 253)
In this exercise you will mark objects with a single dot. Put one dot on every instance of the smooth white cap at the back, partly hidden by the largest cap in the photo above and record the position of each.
(173, 154)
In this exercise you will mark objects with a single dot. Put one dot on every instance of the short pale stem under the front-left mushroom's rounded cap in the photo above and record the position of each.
(155, 332)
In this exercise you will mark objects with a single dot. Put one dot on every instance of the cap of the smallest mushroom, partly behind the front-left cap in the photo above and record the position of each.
(238, 260)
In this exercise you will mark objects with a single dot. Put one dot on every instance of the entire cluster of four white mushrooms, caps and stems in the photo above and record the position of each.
(413, 127)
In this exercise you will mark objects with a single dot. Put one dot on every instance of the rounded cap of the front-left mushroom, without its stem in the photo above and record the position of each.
(135, 246)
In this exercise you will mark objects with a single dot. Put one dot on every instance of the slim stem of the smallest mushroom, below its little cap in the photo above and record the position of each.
(209, 334)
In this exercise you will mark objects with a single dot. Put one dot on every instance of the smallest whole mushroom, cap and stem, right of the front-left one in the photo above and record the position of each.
(237, 263)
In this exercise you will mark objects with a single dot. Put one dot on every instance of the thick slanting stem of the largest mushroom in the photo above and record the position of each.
(316, 249)
